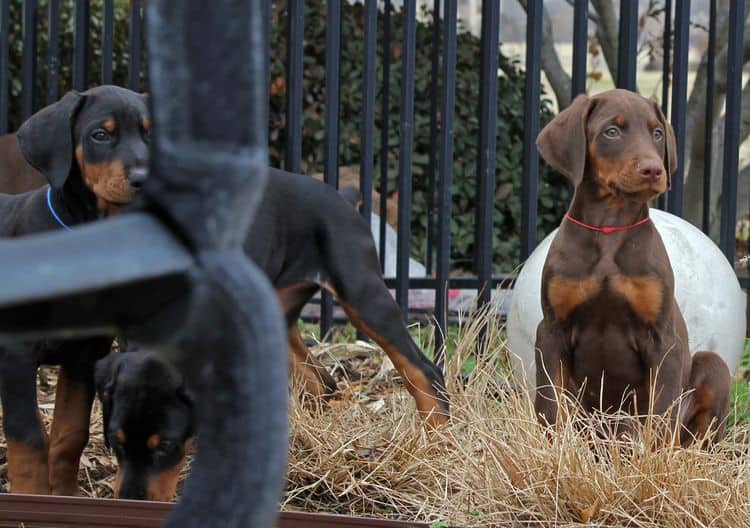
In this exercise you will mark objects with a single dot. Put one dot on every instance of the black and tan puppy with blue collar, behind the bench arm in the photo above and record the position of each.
(92, 147)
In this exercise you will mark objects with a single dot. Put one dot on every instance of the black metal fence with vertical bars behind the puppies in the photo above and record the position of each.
(442, 105)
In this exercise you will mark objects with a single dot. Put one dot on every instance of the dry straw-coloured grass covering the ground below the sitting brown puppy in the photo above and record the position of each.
(368, 454)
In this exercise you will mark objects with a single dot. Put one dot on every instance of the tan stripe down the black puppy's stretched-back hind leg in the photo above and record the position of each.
(428, 401)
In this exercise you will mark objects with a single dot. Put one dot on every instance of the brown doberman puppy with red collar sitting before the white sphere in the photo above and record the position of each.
(612, 333)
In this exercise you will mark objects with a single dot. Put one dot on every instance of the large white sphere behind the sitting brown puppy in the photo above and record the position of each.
(706, 287)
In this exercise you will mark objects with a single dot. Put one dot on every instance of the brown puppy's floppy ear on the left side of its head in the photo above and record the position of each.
(563, 144)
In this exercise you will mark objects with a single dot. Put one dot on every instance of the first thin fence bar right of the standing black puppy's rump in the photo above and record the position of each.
(384, 129)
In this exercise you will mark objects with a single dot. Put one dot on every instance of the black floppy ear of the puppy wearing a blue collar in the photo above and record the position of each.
(46, 138)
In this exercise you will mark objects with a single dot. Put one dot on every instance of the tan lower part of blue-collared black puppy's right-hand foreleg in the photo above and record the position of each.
(69, 434)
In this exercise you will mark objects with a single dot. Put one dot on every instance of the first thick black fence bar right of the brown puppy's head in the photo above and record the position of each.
(679, 100)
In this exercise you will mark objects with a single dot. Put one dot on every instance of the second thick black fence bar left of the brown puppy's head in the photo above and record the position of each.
(487, 142)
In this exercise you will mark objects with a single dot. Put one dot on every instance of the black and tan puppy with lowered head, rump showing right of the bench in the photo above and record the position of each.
(305, 237)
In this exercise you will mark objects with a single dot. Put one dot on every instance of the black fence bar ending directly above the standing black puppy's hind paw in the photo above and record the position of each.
(446, 177)
